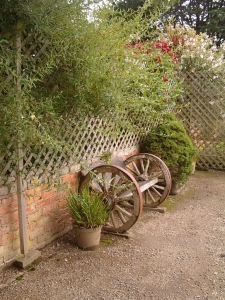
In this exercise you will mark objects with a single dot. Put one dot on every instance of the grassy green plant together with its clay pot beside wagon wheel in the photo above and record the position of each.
(89, 213)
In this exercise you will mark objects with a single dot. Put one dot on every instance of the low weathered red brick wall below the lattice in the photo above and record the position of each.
(47, 218)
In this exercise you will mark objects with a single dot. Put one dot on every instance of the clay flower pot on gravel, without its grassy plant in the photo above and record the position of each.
(87, 238)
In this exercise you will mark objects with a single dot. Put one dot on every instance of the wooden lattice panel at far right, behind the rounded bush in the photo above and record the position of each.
(204, 117)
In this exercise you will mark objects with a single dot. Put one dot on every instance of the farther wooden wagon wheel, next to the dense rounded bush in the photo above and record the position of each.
(153, 177)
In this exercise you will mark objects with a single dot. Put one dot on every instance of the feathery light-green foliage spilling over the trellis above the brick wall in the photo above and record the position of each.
(85, 68)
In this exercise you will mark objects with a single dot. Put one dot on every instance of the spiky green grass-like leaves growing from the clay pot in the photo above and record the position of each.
(87, 208)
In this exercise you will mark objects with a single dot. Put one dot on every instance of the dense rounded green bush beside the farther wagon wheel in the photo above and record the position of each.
(171, 143)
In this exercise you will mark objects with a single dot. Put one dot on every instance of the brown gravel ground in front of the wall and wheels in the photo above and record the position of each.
(177, 255)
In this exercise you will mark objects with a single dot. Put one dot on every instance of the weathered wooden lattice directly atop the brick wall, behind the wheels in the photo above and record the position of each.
(86, 139)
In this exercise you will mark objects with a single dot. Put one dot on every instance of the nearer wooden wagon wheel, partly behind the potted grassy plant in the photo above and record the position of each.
(122, 193)
